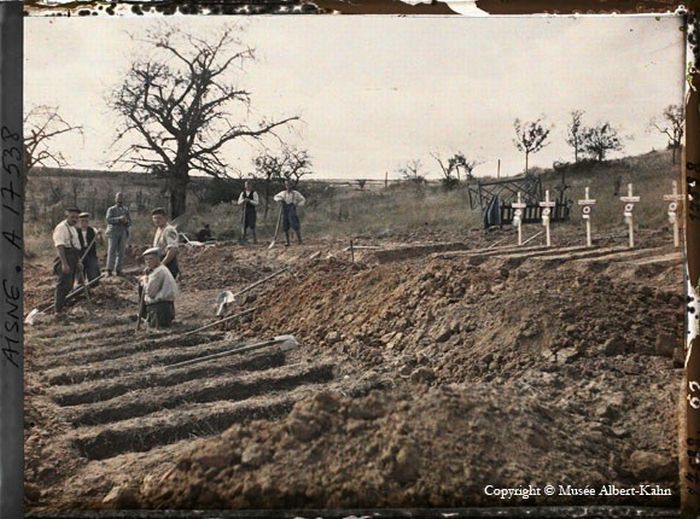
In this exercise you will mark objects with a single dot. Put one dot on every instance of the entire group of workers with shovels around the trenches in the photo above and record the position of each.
(76, 242)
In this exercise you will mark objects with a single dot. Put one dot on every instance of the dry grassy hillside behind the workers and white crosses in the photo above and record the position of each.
(344, 212)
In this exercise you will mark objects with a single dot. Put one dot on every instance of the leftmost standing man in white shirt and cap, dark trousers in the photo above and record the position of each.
(66, 264)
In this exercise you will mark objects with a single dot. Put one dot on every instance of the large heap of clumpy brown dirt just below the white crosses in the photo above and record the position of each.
(468, 322)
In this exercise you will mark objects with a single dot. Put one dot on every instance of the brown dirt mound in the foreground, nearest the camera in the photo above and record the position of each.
(439, 447)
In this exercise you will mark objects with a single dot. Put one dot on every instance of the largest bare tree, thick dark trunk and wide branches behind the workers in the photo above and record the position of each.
(176, 101)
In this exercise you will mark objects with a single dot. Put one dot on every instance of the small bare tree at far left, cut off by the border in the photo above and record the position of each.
(42, 124)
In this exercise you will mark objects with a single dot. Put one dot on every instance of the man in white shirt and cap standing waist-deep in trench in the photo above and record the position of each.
(160, 290)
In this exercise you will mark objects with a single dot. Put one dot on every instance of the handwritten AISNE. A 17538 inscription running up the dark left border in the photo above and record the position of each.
(11, 199)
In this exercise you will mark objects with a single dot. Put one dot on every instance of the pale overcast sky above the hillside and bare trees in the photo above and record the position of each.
(374, 92)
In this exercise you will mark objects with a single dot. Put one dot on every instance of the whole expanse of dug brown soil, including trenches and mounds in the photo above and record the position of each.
(426, 370)
